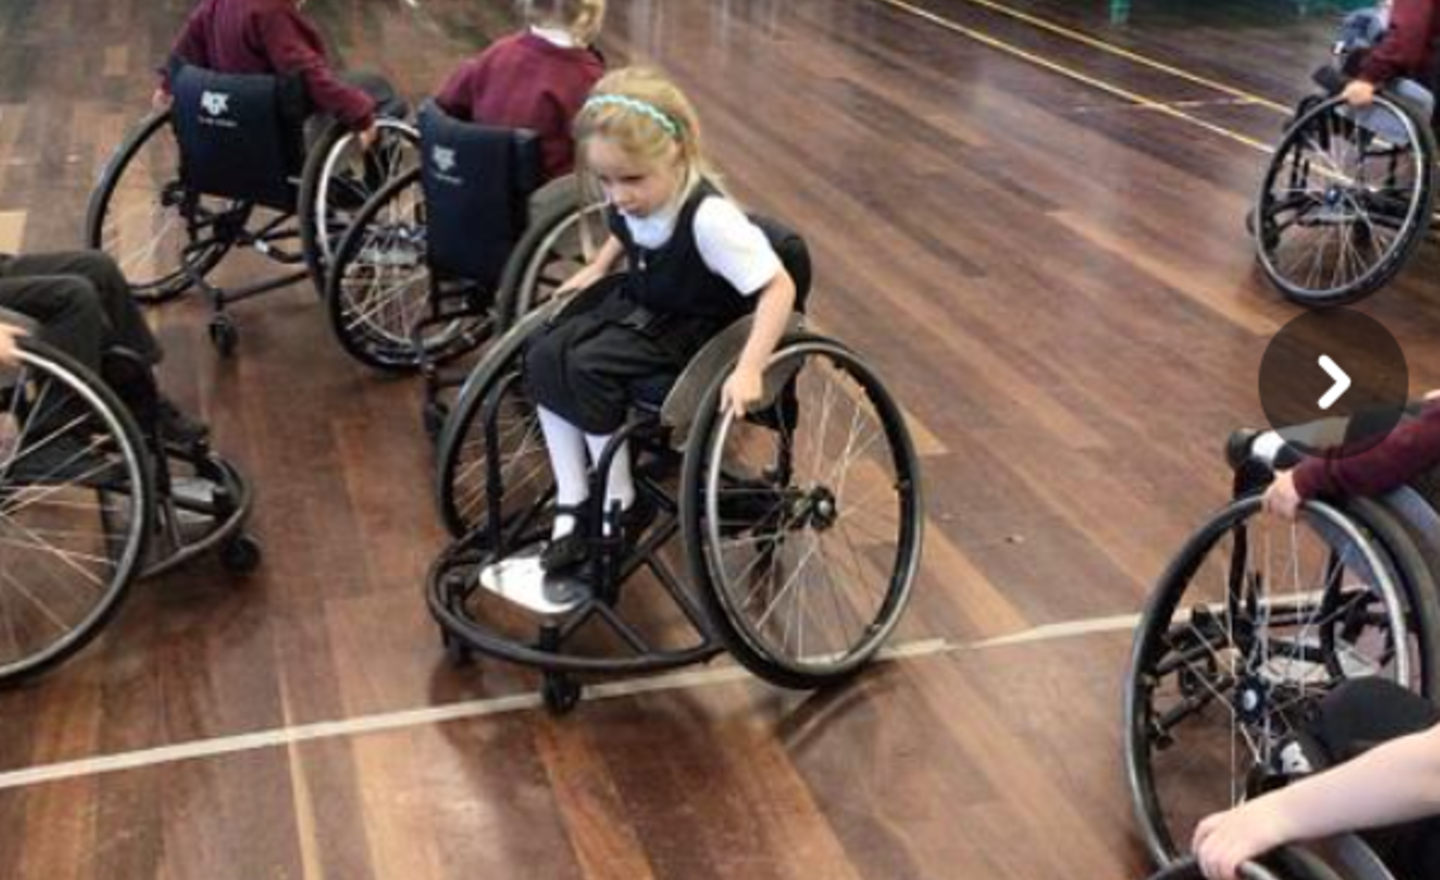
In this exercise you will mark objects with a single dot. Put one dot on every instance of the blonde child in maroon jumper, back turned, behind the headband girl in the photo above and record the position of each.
(535, 80)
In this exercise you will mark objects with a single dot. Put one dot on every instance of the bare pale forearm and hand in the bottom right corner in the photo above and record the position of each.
(1396, 783)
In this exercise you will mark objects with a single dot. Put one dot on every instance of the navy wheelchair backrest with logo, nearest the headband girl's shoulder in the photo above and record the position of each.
(479, 181)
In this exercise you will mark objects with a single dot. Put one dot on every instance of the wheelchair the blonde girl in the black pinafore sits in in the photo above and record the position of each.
(801, 522)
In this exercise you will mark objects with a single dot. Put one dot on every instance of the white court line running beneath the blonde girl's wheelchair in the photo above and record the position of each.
(490, 706)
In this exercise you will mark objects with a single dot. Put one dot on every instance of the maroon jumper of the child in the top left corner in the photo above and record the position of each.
(270, 37)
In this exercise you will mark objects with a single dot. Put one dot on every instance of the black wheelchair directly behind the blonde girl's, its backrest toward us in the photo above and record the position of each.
(449, 254)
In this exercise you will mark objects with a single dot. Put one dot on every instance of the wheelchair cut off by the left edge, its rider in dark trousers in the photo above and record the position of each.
(91, 503)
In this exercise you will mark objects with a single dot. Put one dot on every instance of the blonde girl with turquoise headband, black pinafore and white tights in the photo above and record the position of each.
(695, 266)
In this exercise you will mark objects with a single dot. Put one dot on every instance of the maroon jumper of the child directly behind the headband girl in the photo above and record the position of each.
(525, 81)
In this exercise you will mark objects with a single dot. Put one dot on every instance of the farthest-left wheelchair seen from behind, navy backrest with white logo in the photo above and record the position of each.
(238, 162)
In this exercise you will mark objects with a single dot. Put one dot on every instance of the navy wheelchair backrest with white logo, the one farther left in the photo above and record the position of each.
(241, 135)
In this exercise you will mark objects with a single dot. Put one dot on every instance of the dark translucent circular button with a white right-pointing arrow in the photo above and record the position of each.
(1334, 382)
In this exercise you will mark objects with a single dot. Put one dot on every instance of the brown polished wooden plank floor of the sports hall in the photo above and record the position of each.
(1055, 282)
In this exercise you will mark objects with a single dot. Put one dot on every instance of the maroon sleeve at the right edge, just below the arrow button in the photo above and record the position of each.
(1410, 450)
